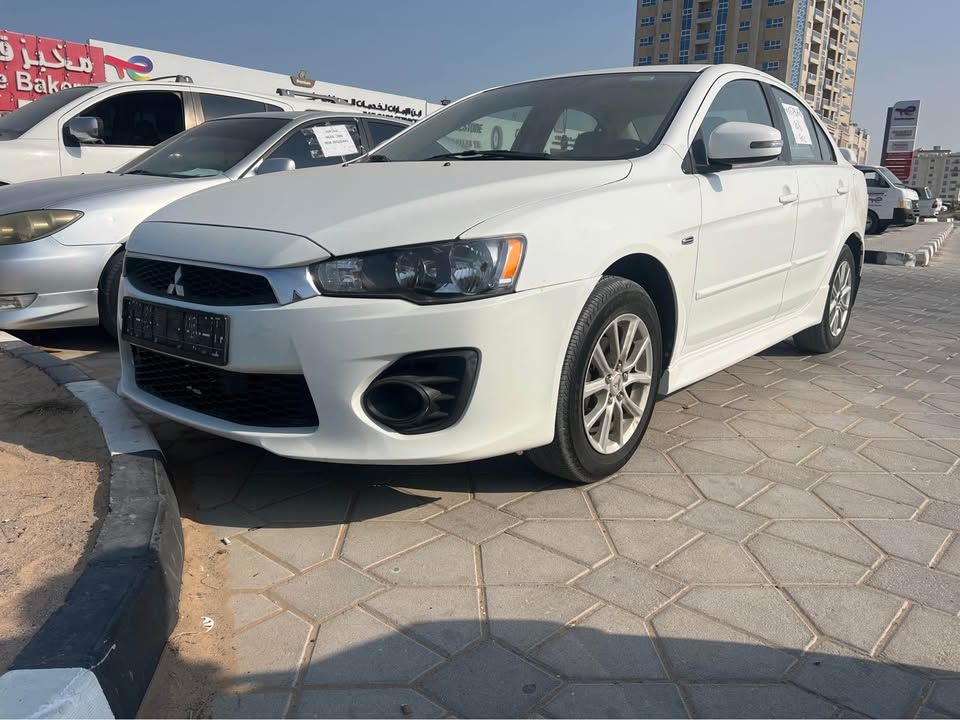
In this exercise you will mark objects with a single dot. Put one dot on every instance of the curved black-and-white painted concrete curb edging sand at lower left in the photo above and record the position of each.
(100, 648)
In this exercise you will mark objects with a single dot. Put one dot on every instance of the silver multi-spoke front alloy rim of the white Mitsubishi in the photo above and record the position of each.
(616, 387)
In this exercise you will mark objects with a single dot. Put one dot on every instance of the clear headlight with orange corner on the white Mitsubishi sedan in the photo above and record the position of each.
(439, 272)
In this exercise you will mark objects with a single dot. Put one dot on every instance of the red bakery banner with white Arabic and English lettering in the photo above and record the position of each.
(33, 66)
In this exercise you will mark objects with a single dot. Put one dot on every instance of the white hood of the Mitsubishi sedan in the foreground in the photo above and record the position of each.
(368, 206)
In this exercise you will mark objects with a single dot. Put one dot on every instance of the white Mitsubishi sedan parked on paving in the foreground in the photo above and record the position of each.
(526, 270)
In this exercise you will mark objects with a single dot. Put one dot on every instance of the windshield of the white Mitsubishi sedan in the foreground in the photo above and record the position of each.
(586, 117)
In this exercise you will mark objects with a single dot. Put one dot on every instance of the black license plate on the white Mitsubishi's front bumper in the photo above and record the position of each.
(184, 333)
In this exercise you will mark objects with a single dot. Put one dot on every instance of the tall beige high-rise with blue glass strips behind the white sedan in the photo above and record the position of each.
(812, 45)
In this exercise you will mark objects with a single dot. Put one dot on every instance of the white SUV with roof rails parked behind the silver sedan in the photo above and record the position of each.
(95, 128)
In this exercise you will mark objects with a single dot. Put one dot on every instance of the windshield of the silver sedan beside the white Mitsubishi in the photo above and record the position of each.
(206, 150)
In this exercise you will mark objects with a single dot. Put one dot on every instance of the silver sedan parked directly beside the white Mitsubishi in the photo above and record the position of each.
(61, 240)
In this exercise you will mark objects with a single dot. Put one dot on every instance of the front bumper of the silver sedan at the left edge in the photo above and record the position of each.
(64, 278)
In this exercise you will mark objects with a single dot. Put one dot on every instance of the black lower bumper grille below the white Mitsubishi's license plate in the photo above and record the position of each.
(257, 400)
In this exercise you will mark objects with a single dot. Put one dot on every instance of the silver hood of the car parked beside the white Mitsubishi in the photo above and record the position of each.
(64, 192)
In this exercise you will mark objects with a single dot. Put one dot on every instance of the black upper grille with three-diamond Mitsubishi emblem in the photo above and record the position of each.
(198, 284)
